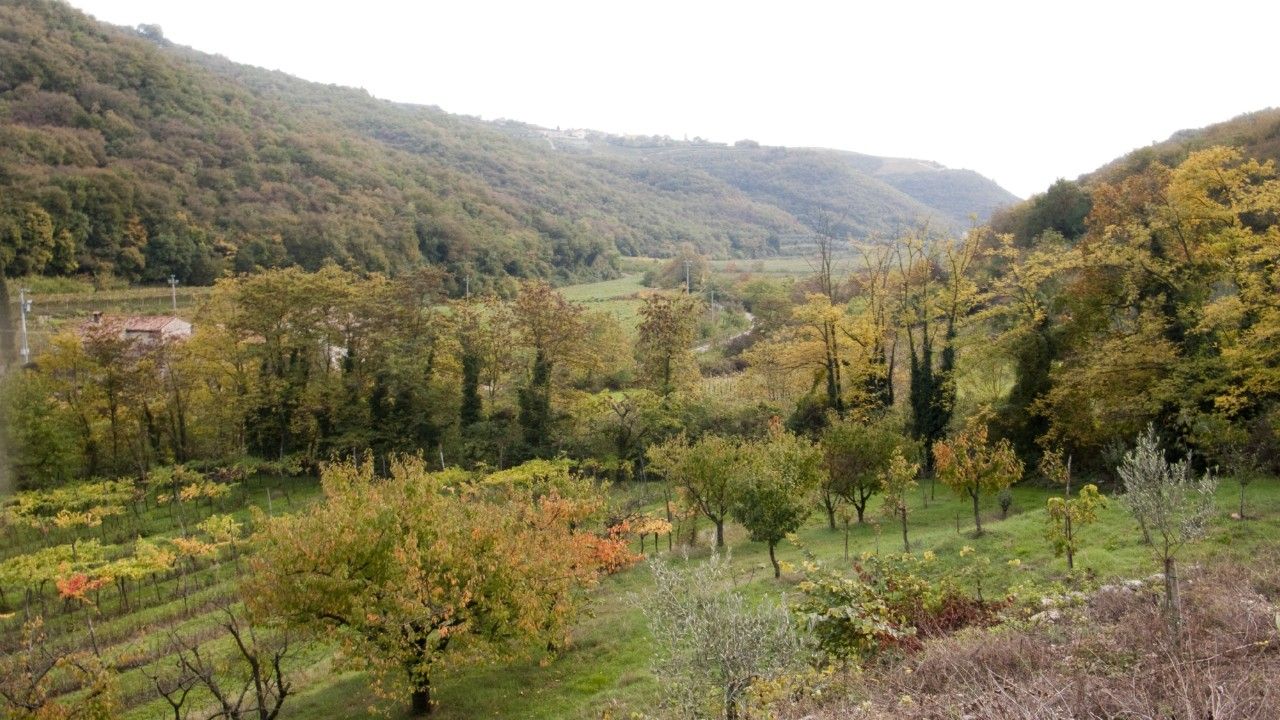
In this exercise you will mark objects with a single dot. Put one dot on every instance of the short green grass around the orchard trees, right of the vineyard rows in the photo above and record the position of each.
(609, 666)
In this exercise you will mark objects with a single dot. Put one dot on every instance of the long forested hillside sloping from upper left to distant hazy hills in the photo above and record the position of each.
(124, 154)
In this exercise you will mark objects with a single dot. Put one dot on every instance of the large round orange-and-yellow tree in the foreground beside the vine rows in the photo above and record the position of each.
(422, 572)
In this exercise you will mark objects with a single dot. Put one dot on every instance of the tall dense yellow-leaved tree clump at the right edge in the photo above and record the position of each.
(1171, 307)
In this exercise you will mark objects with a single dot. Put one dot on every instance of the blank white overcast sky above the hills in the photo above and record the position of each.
(1023, 93)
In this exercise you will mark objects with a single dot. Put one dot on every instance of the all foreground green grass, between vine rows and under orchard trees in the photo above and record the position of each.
(607, 667)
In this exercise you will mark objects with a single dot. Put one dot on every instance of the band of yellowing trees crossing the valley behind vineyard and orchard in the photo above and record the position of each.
(1160, 311)
